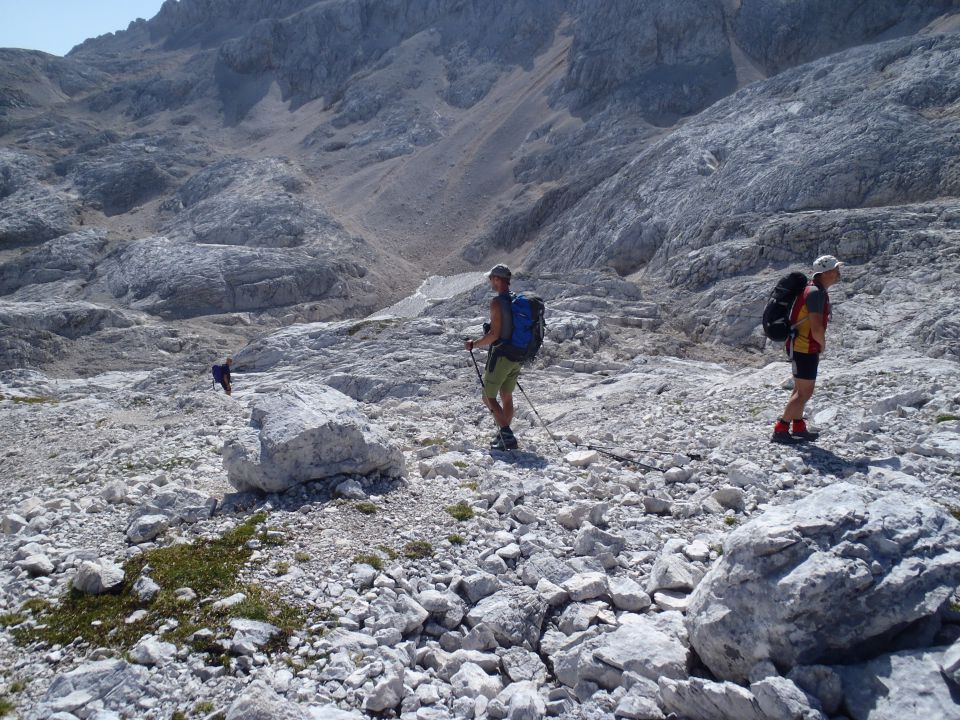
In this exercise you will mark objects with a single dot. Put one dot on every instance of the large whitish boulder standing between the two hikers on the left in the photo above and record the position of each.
(305, 433)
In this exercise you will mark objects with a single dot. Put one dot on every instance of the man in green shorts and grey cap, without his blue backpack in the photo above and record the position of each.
(500, 374)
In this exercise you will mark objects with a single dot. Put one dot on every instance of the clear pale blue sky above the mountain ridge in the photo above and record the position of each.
(55, 26)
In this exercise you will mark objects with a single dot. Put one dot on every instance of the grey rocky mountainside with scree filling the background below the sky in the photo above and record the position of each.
(377, 143)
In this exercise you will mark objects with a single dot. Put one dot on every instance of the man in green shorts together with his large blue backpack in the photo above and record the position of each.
(514, 335)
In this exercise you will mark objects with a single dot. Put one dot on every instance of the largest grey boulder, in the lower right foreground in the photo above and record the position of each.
(886, 559)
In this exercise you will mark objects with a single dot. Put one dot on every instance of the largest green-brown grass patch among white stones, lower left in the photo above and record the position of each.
(210, 567)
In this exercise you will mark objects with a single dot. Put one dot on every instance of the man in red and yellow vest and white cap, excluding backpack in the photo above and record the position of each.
(809, 317)
